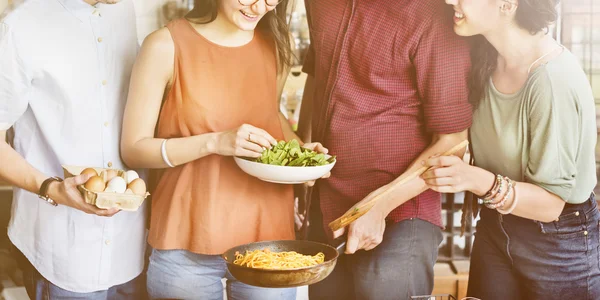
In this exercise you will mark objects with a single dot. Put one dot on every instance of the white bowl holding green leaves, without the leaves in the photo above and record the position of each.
(283, 174)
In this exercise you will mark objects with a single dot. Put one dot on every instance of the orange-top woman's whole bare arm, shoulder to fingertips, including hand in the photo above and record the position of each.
(152, 74)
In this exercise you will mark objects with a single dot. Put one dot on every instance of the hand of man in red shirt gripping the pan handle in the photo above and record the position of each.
(366, 232)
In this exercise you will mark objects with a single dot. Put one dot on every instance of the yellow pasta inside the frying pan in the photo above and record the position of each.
(266, 259)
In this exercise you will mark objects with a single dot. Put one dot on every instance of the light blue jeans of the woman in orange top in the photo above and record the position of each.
(180, 274)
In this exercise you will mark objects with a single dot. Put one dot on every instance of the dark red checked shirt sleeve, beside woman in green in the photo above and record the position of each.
(442, 64)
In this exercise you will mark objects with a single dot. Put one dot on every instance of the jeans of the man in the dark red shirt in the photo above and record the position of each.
(400, 267)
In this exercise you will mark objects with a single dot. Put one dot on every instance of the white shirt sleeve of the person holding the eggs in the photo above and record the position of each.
(14, 80)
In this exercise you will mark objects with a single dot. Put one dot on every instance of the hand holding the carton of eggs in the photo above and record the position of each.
(66, 193)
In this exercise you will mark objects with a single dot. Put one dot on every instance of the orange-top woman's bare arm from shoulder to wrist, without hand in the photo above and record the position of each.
(151, 74)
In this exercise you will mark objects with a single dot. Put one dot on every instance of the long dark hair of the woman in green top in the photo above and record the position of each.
(532, 15)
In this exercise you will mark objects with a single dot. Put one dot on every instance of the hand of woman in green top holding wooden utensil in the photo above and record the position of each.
(450, 174)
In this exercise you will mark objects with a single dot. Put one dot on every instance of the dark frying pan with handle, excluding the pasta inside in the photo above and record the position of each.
(286, 278)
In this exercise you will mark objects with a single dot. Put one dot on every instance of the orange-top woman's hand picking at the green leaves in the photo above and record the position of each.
(245, 141)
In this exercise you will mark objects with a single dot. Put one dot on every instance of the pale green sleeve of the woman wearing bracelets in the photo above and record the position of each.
(554, 128)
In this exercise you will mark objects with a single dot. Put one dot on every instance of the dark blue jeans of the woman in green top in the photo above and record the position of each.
(517, 258)
